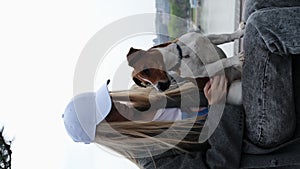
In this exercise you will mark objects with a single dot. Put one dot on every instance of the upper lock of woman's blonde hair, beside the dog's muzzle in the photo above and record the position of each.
(143, 98)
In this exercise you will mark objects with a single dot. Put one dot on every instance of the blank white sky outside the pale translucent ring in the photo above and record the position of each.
(40, 42)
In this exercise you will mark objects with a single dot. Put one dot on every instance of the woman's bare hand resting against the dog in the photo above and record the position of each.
(215, 90)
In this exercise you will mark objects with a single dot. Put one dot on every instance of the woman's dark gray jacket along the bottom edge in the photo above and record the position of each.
(226, 149)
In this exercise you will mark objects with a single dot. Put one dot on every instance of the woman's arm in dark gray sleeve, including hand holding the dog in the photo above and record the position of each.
(226, 141)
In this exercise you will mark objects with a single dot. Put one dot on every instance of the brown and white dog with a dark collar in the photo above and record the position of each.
(191, 56)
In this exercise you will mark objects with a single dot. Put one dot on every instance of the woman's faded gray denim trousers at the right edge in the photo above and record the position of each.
(272, 36)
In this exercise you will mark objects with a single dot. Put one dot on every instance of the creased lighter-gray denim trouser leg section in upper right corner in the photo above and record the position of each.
(279, 29)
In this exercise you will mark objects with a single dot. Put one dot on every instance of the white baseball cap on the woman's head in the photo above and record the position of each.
(85, 112)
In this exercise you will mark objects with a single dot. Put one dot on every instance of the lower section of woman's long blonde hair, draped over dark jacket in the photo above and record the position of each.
(146, 139)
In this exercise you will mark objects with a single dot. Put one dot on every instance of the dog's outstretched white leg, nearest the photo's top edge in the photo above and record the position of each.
(225, 38)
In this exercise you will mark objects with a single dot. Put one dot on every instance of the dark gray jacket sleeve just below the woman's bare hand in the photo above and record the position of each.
(226, 141)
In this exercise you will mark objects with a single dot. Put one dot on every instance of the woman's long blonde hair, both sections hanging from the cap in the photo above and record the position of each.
(145, 139)
